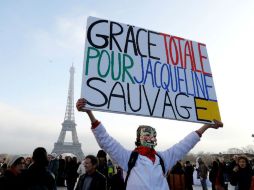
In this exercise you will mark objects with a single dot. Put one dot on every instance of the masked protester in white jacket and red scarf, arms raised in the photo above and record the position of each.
(146, 168)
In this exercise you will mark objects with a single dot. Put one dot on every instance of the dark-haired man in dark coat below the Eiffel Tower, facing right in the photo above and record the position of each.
(92, 179)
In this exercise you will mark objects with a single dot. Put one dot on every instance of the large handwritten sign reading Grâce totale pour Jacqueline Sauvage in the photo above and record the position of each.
(132, 70)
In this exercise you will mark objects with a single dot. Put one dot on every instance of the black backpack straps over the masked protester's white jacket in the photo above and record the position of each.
(132, 162)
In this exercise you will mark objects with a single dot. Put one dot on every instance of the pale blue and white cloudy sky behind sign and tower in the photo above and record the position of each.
(39, 41)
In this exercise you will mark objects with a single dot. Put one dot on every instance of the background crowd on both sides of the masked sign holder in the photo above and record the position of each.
(49, 171)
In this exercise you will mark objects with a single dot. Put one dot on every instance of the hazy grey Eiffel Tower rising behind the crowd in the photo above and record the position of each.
(73, 147)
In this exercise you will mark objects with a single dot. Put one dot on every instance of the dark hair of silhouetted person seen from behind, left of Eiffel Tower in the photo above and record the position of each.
(40, 156)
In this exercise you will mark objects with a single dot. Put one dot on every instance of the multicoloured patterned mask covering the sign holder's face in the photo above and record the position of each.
(147, 136)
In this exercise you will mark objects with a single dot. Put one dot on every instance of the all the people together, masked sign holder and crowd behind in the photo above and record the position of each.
(143, 168)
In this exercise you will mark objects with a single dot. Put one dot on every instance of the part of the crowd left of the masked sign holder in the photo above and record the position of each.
(45, 171)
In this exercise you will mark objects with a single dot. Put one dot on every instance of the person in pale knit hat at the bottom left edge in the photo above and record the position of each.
(12, 177)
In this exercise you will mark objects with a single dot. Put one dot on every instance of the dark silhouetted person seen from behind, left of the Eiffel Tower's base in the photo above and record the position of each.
(38, 176)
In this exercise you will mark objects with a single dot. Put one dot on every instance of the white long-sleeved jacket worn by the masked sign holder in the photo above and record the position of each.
(146, 175)
